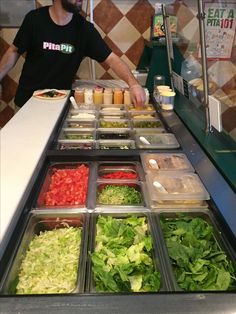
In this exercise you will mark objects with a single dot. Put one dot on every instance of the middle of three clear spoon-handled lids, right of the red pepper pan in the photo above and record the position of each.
(166, 162)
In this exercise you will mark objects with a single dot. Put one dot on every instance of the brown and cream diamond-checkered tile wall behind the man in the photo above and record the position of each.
(124, 25)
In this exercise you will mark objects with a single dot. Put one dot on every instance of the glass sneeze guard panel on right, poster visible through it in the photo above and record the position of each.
(220, 22)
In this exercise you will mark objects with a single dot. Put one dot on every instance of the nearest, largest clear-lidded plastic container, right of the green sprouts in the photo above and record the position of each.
(175, 189)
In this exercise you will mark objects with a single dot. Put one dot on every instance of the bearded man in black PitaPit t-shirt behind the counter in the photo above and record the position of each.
(56, 39)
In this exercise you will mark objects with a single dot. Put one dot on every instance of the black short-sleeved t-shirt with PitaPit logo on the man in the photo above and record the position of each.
(53, 52)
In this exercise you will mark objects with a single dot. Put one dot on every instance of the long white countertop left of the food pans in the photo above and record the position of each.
(22, 142)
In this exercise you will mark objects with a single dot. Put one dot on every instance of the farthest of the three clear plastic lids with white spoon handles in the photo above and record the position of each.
(158, 140)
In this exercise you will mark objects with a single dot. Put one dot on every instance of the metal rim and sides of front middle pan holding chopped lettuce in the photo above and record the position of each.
(155, 252)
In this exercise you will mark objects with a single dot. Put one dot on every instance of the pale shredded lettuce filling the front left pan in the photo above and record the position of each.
(51, 262)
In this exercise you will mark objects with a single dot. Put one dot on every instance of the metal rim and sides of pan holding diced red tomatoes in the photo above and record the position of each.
(51, 170)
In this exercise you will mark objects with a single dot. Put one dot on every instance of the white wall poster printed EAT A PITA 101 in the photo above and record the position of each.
(220, 24)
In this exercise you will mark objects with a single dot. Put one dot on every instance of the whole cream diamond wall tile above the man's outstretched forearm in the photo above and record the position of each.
(124, 34)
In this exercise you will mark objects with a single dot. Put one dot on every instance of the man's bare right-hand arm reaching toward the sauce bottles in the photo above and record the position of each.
(124, 73)
